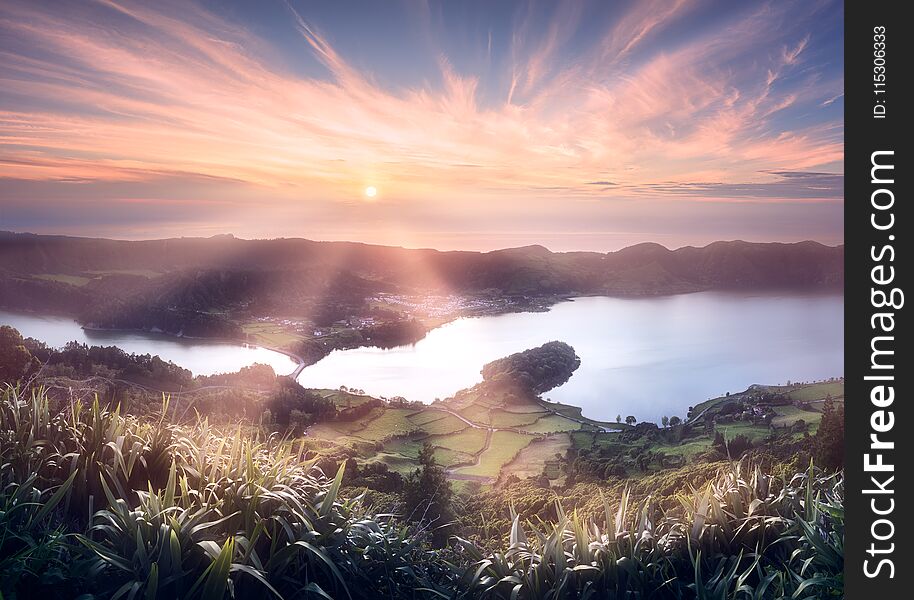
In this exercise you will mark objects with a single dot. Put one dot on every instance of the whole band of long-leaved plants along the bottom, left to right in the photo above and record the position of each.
(103, 504)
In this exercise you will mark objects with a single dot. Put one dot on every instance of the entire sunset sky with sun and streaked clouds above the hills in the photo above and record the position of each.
(578, 125)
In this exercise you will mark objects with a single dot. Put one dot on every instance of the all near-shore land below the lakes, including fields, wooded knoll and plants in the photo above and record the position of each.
(249, 486)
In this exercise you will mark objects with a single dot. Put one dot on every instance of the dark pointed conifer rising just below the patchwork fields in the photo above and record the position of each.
(427, 495)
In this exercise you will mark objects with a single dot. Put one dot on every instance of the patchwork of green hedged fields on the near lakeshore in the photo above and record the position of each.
(519, 438)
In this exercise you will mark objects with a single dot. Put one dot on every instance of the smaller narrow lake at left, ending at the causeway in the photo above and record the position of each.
(201, 357)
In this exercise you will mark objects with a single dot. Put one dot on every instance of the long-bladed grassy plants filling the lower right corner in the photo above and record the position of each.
(718, 546)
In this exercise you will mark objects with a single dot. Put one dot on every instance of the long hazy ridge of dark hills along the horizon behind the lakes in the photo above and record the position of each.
(644, 269)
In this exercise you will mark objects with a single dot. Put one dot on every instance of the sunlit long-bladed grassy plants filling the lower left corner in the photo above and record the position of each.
(106, 505)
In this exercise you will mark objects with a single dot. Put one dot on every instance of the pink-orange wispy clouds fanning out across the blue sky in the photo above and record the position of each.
(138, 92)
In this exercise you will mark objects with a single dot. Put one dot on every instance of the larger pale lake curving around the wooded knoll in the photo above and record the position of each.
(646, 357)
